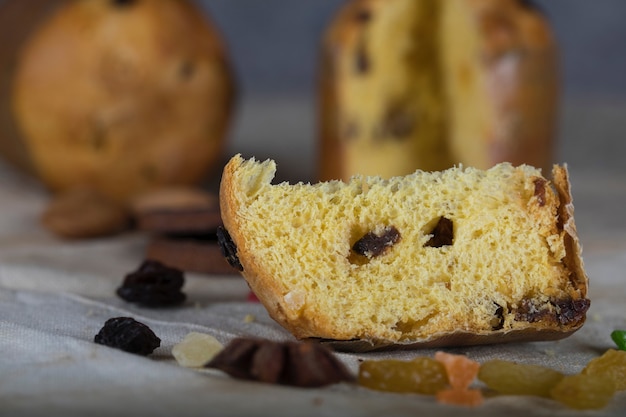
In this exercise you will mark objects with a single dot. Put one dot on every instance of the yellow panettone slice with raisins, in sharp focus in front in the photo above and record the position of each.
(461, 256)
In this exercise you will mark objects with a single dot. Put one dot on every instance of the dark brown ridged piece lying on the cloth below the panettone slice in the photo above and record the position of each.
(288, 363)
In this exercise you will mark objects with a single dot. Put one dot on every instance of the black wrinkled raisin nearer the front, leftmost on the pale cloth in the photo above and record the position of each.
(129, 335)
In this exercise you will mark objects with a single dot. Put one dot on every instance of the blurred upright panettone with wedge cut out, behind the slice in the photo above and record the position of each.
(408, 84)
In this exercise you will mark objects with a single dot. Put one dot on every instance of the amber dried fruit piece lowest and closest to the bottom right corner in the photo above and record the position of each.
(584, 391)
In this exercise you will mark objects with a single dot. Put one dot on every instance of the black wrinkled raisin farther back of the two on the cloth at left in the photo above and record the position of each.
(153, 285)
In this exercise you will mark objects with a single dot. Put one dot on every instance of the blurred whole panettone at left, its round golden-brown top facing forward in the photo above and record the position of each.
(120, 96)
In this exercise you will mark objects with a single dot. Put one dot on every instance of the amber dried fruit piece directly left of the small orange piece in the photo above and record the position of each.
(421, 375)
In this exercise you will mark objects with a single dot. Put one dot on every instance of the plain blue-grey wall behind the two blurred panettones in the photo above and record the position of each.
(274, 42)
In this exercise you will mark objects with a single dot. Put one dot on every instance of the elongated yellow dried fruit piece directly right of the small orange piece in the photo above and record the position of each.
(518, 379)
